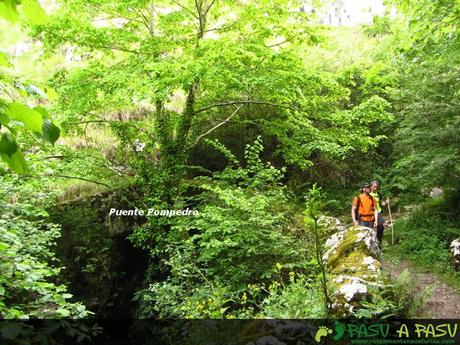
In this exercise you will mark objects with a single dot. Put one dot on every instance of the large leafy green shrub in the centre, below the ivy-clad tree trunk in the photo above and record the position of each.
(240, 235)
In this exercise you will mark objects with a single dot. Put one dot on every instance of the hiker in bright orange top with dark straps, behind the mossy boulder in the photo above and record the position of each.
(363, 211)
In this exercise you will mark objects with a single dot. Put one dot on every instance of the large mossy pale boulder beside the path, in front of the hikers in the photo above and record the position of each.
(352, 259)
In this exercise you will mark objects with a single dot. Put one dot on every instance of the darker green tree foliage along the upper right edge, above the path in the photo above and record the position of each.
(427, 101)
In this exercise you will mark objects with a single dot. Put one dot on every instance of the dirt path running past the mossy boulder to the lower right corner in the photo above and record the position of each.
(444, 302)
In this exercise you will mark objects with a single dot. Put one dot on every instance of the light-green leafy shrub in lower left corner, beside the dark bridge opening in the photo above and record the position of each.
(27, 289)
